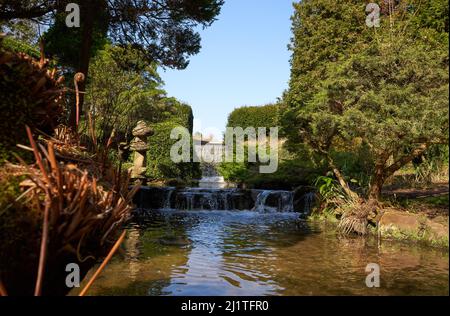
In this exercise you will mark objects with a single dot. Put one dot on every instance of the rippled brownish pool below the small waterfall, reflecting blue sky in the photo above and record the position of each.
(249, 253)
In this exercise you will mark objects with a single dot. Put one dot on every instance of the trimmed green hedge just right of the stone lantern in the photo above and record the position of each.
(159, 164)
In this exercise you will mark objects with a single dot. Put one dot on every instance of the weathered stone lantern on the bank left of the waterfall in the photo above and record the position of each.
(140, 146)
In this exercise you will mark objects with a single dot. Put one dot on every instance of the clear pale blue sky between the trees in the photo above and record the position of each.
(244, 60)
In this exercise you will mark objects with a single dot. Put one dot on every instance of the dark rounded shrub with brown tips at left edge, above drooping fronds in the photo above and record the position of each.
(31, 94)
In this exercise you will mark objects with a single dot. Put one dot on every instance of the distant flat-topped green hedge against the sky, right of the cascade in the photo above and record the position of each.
(254, 116)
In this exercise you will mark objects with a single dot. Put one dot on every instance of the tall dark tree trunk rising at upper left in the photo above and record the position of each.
(88, 9)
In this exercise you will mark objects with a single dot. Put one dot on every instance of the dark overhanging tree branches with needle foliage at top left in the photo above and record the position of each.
(164, 30)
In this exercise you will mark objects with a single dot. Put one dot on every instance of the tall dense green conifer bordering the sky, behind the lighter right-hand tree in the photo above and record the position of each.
(324, 32)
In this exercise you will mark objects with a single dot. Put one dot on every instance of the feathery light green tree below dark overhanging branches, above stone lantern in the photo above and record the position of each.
(122, 90)
